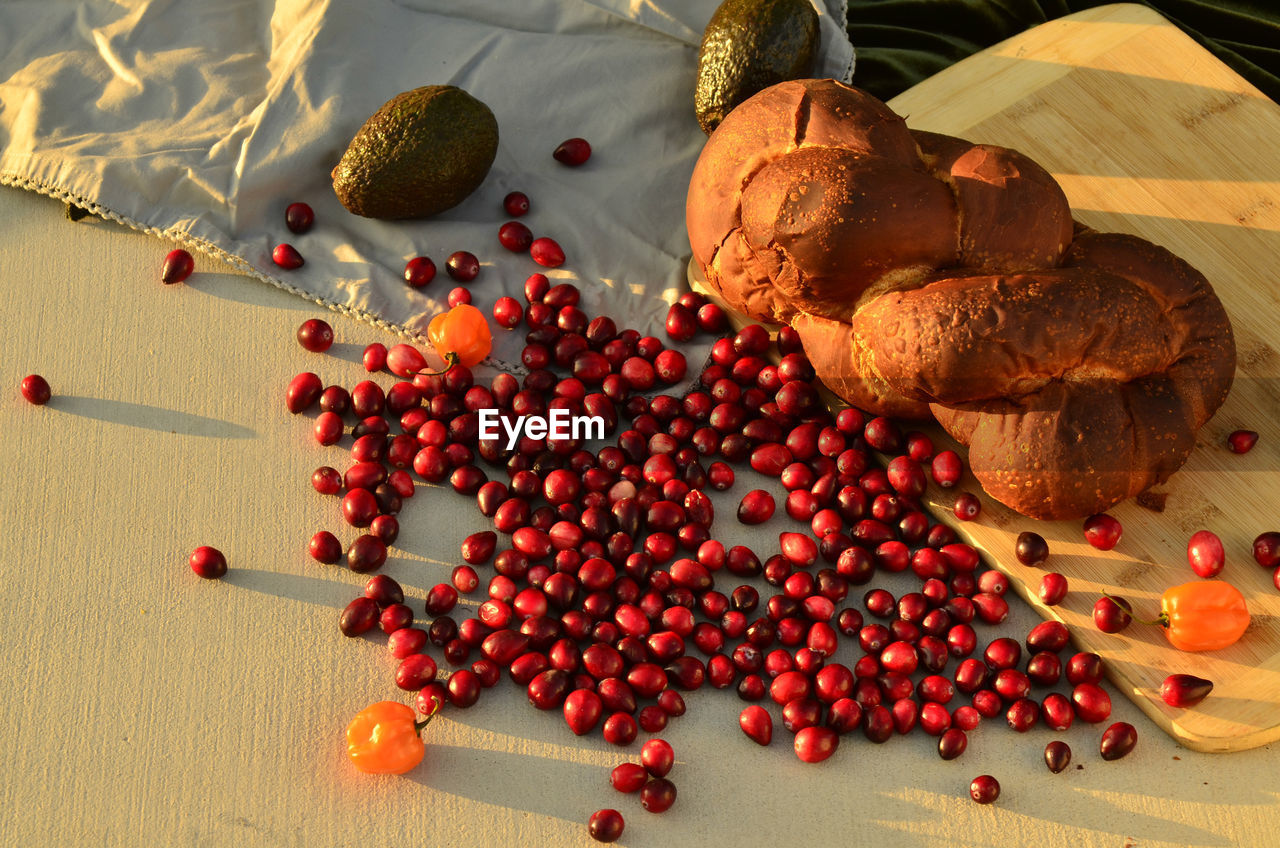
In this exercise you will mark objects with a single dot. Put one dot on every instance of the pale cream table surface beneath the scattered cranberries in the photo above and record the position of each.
(148, 706)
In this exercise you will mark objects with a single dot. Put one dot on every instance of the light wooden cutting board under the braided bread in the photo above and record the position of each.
(1149, 134)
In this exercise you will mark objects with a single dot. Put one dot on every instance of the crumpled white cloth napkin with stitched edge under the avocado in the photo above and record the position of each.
(202, 121)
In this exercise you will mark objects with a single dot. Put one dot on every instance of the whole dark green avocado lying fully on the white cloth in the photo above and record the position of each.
(422, 153)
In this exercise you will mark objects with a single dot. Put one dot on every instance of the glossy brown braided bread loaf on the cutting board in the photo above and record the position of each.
(930, 276)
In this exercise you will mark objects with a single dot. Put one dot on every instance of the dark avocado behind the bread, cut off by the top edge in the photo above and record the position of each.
(751, 45)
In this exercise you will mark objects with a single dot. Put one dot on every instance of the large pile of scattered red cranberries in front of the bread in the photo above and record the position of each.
(602, 589)
